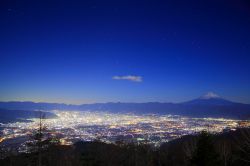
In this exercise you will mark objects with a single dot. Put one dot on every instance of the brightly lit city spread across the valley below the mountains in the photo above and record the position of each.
(72, 126)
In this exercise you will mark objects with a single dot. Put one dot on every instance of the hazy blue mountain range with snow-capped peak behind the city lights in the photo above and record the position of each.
(209, 105)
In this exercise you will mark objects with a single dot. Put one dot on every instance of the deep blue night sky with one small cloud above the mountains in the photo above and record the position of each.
(127, 50)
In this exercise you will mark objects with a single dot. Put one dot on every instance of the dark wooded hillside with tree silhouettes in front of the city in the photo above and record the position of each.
(227, 149)
